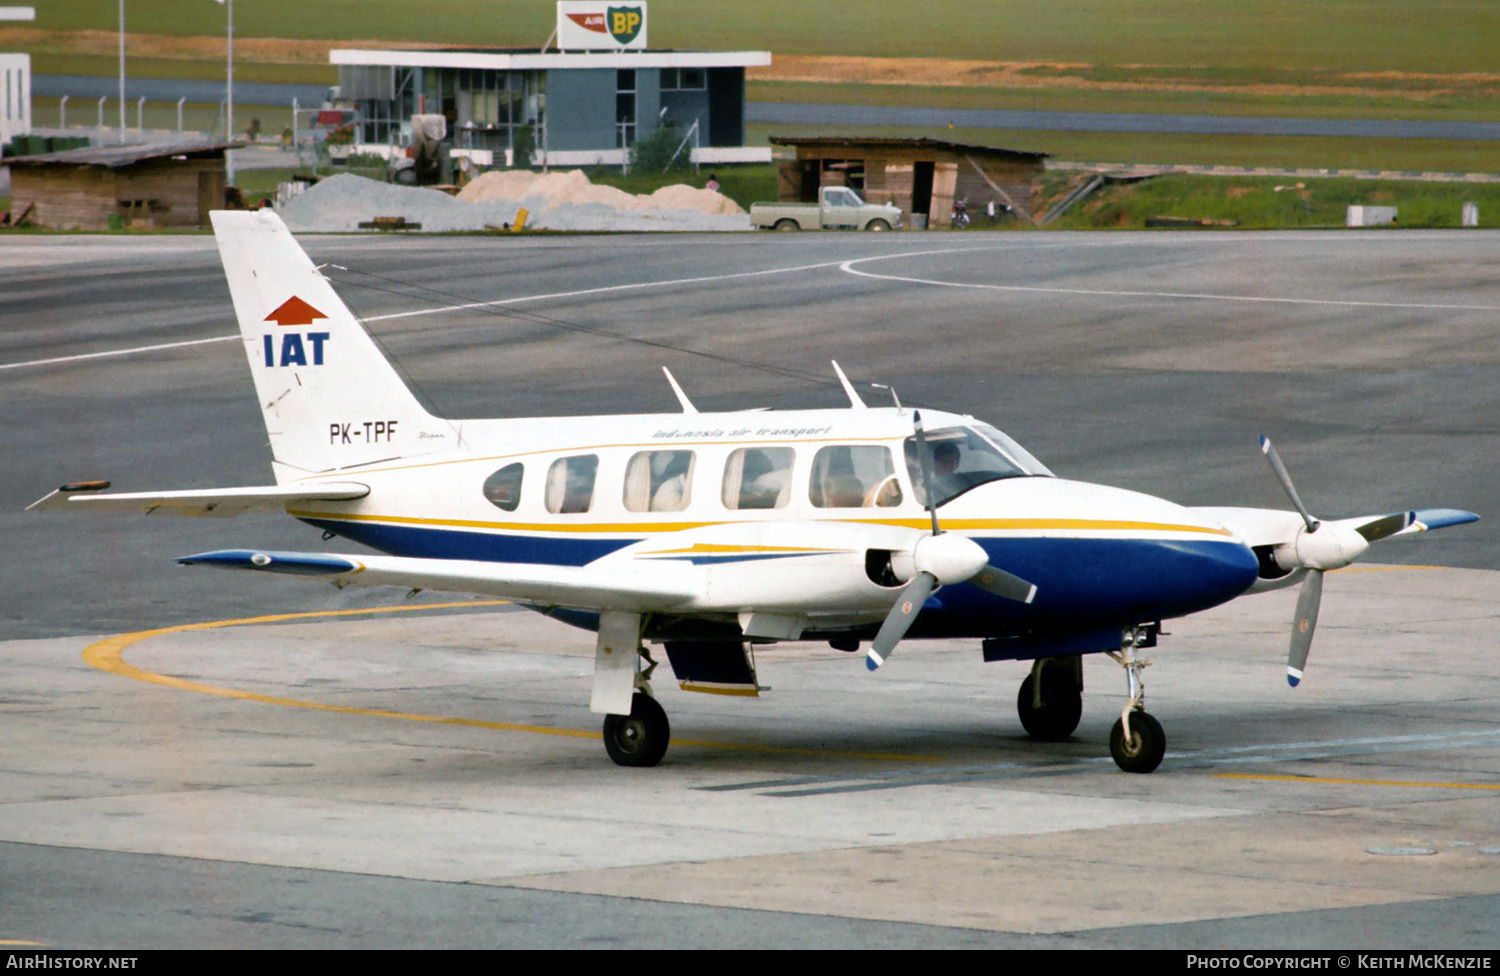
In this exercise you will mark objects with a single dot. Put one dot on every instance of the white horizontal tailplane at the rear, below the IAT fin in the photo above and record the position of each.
(196, 503)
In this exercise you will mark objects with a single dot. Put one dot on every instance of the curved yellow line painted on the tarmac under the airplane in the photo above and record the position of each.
(109, 656)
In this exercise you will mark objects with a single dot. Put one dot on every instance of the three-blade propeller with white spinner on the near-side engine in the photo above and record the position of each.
(938, 560)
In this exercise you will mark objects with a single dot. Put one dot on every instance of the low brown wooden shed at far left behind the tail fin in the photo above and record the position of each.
(169, 185)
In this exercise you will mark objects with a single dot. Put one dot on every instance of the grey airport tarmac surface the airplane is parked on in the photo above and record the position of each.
(433, 777)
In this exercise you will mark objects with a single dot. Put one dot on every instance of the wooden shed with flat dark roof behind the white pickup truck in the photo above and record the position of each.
(919, 176)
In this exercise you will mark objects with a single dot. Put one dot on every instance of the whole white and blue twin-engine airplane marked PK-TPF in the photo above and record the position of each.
(715, 533)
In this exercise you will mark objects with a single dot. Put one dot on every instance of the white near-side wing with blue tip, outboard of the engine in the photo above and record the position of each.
(650, 587)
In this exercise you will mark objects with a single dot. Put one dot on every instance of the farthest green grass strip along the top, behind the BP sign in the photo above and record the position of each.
(1258, 35)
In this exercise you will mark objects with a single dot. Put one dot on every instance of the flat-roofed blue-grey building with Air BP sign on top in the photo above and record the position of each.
(584, 98)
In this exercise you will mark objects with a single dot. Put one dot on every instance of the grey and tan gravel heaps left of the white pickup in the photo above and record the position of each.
(568, 203)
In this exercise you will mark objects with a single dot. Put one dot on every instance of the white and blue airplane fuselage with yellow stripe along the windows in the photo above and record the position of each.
(1102, 558)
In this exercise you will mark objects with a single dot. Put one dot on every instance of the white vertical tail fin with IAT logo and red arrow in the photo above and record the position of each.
(329, 395)
